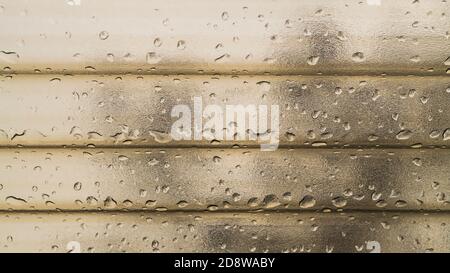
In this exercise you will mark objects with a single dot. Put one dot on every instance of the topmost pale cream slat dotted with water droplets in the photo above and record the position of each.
(212, 36)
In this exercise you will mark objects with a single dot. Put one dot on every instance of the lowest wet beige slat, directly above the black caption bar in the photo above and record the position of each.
(224, 232)
